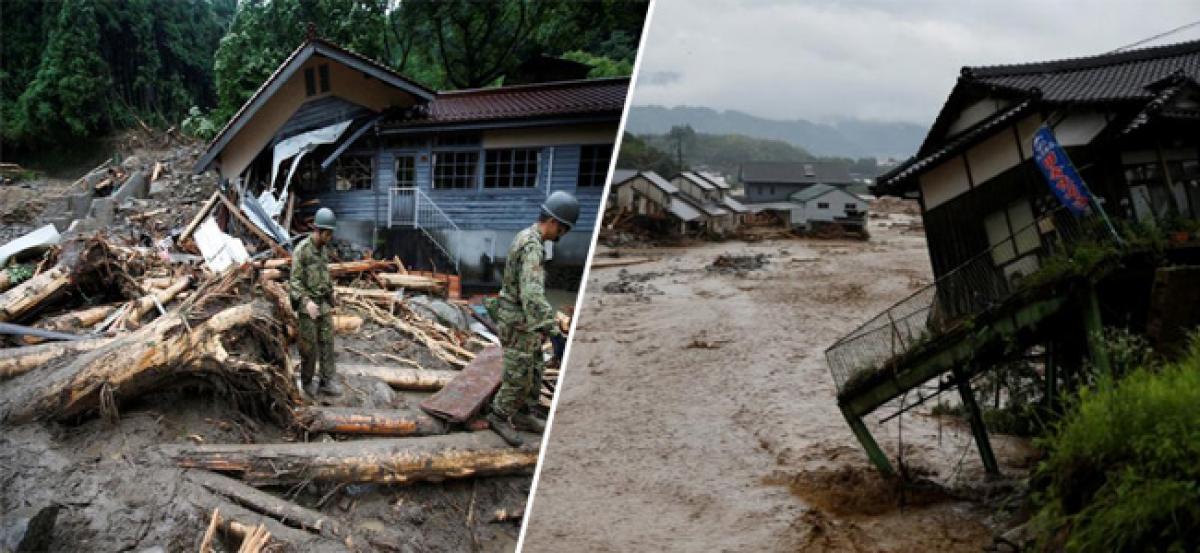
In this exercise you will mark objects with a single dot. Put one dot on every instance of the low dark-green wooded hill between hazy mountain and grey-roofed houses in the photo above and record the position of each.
(722, 153)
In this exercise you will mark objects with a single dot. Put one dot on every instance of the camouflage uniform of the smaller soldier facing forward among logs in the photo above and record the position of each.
(311, 281)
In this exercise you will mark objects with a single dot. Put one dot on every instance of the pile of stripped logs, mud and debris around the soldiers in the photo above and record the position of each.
(149, 390)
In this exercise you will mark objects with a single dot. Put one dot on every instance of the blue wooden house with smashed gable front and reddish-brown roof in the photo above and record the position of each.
(441, 179)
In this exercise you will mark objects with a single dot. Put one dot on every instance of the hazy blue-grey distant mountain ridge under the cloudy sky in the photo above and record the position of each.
(848, 139)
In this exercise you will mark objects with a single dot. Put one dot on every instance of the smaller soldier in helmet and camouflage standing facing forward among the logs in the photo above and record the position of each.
(311, 291)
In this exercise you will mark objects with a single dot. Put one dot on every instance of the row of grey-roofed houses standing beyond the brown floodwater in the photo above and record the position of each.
(796, 195)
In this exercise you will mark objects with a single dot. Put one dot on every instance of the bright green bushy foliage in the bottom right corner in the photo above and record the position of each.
(1121, 473)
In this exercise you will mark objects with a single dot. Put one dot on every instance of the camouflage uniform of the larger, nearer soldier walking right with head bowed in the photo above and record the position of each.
(525, 318)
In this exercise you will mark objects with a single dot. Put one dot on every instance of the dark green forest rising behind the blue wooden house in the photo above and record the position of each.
(80, 70)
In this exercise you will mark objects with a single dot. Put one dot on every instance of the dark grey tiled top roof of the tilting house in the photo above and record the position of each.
(1099, 79)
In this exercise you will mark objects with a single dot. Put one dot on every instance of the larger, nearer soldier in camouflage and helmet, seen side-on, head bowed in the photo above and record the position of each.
(526, 320)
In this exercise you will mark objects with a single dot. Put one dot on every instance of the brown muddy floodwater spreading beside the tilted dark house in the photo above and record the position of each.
(699, 414)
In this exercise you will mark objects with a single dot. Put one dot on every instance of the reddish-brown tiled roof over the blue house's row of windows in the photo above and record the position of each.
(571, 98)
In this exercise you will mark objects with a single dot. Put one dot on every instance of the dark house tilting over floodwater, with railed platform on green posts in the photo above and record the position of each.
(1022, 275)
